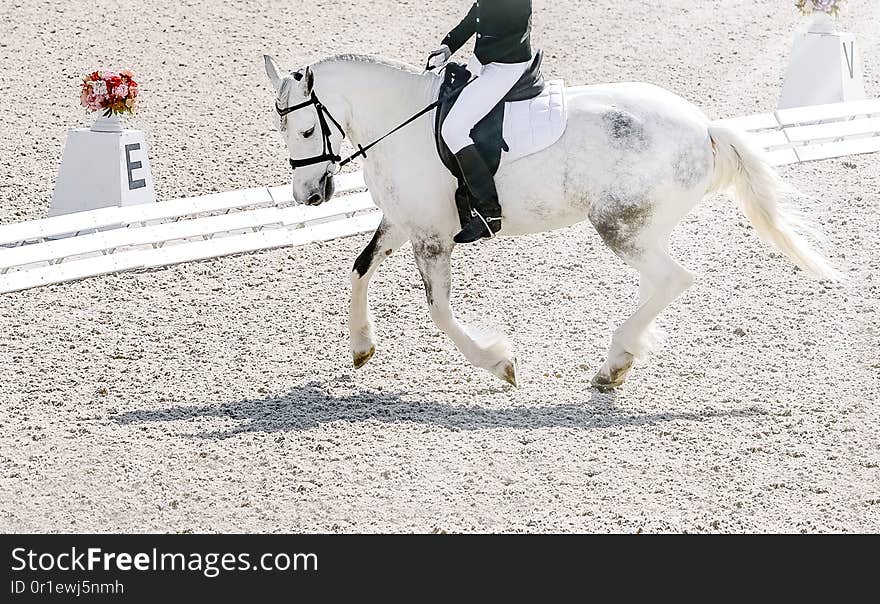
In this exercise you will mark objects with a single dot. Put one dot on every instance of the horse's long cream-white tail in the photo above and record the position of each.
(757, 187)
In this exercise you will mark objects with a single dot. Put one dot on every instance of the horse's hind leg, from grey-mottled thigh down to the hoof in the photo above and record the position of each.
(633, 236)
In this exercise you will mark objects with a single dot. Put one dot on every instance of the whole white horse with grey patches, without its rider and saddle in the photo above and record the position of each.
(634, 160)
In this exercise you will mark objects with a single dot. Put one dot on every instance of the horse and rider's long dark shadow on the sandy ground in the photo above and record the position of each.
(311, 405)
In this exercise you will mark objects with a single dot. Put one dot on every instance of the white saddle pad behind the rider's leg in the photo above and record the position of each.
(533, 125)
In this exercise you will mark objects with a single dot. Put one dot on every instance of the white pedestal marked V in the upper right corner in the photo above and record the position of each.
(825, 67)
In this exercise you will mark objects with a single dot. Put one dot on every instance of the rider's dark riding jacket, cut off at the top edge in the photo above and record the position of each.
(503, 29)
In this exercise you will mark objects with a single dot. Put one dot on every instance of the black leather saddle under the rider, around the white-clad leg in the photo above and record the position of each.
(488, 134)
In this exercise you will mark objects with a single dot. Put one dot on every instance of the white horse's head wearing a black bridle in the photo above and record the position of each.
(310, 136)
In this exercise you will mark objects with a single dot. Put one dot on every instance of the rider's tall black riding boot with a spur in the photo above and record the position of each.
(486, 215)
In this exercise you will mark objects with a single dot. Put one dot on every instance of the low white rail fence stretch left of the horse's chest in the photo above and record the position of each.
(110, 240)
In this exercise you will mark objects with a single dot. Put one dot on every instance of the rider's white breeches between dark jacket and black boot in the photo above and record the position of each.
(478, 99)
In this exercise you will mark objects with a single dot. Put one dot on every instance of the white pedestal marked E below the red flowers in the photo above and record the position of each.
(101, 169)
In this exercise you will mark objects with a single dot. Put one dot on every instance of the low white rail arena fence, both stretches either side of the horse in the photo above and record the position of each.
(111, 240)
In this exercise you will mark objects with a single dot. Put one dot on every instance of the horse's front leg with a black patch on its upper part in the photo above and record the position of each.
(387, 238)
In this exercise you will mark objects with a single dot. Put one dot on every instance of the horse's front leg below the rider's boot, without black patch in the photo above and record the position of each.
(487, 351)
